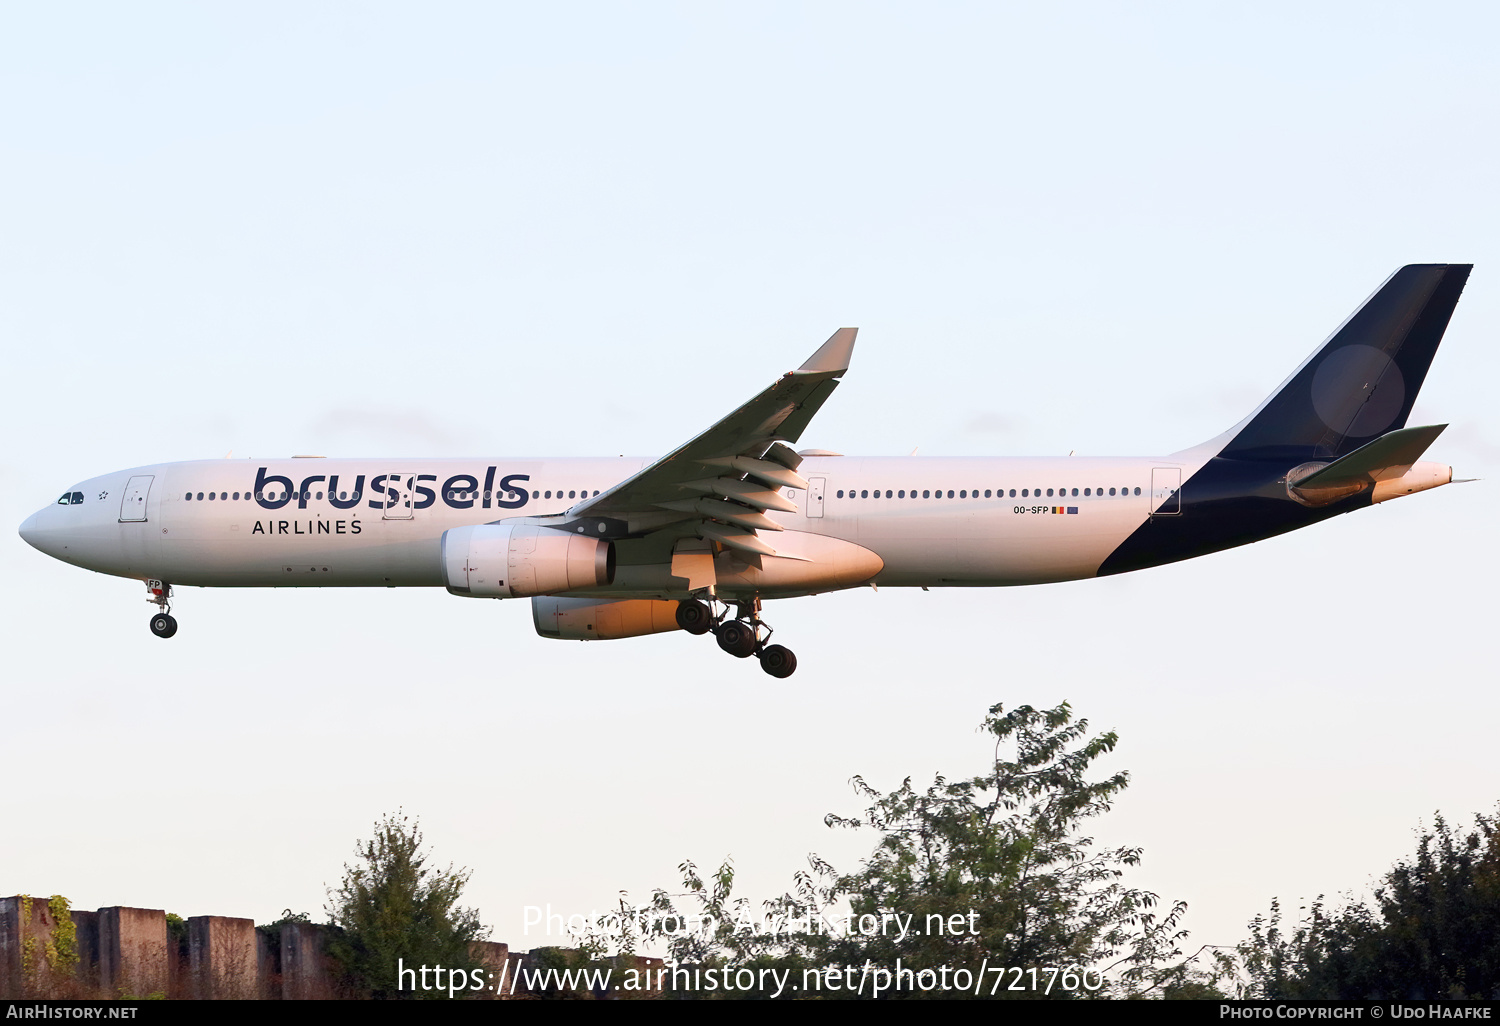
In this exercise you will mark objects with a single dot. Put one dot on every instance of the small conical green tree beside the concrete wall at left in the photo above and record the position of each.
(394, 907)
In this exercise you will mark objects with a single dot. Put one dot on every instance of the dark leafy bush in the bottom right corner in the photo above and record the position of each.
(1433, 932)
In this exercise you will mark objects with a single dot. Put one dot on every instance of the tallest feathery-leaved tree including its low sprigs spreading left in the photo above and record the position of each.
(992, 868)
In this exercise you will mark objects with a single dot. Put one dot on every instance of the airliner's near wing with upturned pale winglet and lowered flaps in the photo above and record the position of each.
(733, 473)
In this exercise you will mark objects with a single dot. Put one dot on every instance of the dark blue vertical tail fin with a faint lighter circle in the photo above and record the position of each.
(1364, 380)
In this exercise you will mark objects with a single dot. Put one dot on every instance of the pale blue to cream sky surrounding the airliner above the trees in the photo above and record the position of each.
(484, 230)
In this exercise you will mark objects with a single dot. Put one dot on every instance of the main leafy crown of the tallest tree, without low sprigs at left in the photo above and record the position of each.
(1004, 850)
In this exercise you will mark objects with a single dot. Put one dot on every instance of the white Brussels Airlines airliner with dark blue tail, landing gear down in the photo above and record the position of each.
(698, 539)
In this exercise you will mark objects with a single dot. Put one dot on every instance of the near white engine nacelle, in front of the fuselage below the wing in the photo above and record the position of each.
(521, 560)
